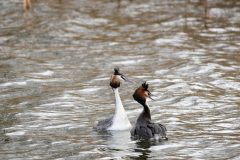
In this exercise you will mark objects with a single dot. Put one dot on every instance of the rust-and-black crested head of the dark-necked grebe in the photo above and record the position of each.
(142, 93)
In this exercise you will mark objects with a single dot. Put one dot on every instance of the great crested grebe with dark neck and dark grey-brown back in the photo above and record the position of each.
(144, 128)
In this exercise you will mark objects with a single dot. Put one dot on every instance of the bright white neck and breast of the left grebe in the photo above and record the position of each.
(120, 119)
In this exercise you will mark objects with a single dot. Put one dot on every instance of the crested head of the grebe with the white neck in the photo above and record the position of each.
(116, 78)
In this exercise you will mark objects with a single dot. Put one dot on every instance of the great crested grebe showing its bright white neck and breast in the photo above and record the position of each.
(119, 121)
